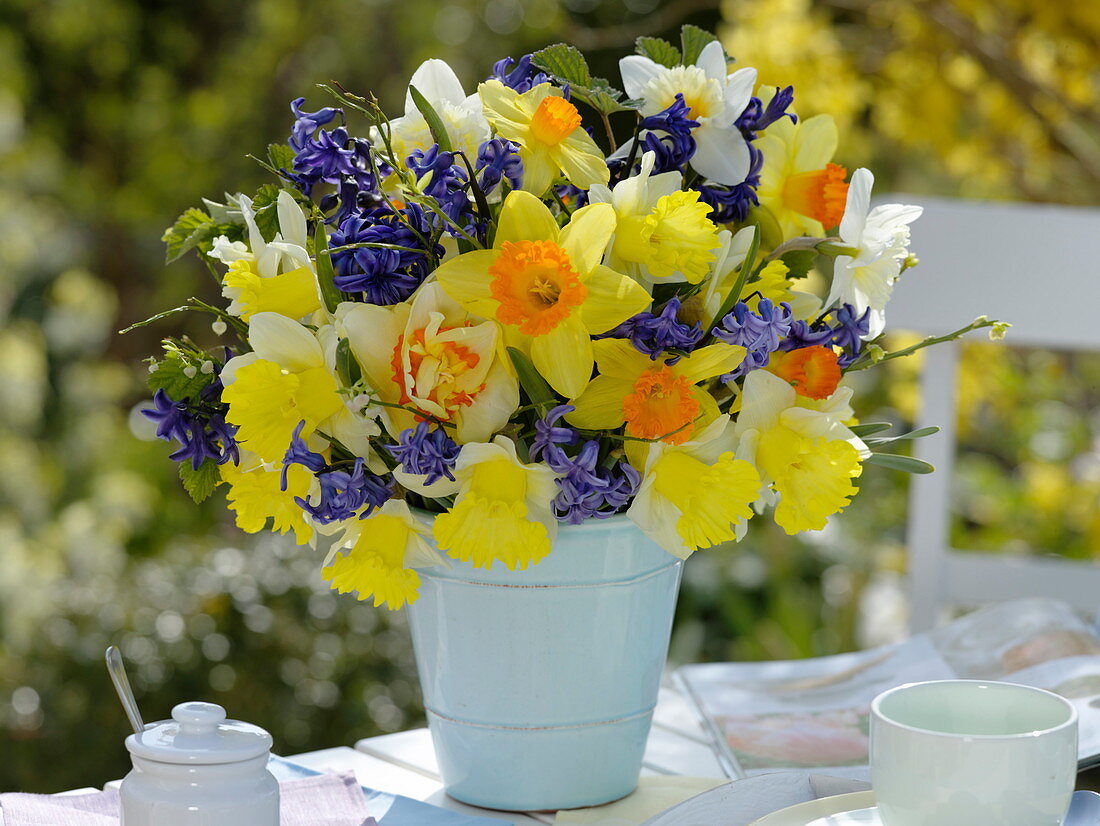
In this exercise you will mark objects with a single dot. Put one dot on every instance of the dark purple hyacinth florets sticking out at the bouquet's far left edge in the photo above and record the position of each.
(201, 429)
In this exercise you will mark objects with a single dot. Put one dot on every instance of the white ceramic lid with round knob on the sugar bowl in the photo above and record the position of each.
(200, 734)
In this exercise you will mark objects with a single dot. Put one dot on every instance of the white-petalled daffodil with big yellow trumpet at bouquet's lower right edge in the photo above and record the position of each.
(801, 448)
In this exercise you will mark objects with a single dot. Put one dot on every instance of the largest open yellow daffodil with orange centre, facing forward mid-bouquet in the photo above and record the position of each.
(546, 287)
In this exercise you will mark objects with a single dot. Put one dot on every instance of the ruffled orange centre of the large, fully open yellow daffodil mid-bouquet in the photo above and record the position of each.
(536, 285)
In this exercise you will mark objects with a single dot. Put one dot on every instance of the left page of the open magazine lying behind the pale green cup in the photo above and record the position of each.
(805, 714)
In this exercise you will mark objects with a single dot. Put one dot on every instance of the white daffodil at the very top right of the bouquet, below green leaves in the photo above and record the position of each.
(716, 98)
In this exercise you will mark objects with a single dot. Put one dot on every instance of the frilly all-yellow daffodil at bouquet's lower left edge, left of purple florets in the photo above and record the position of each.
(256, 494)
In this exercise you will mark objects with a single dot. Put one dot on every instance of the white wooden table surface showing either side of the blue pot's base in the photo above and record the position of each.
(405, 763)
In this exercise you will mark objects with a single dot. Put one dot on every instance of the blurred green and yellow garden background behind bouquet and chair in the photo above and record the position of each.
(118, 115)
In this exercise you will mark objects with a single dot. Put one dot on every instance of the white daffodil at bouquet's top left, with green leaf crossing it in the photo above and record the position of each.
(463, 115)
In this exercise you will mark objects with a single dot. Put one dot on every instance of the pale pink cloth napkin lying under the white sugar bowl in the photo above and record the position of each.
(326, 800)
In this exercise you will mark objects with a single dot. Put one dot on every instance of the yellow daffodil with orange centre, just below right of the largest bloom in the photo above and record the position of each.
(655, 400)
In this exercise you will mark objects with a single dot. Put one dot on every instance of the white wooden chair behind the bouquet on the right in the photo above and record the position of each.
(1038, 268)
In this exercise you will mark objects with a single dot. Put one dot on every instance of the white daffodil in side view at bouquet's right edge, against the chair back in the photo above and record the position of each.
(882, 237)
